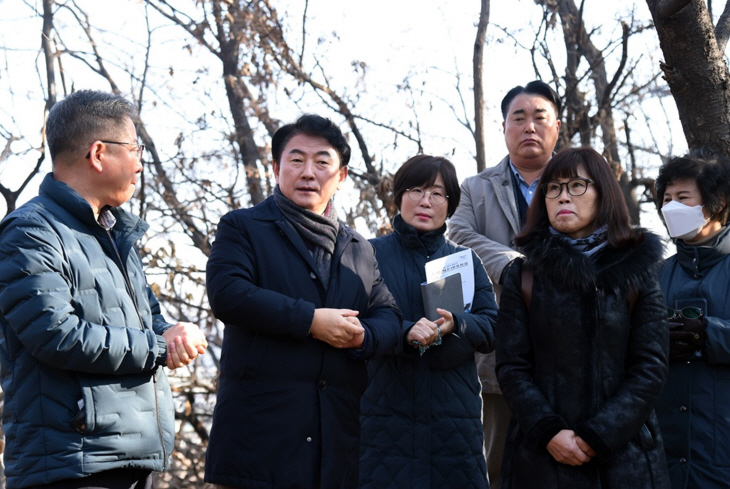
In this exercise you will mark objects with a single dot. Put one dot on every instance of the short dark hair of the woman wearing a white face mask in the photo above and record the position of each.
(711, 172)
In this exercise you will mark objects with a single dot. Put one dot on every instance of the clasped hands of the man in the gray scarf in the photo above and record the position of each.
(337, 327)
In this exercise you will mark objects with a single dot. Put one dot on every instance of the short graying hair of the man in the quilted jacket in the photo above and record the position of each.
(83, 117)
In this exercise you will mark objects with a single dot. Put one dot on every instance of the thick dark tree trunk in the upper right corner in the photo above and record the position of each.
(695, 70)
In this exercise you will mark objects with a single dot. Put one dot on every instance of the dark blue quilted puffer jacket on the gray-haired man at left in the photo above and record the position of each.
(80, 344)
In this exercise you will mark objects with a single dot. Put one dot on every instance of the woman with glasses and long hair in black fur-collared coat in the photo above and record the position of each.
(582, 352)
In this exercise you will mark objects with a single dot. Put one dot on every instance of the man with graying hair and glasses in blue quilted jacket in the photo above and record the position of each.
(82, 340)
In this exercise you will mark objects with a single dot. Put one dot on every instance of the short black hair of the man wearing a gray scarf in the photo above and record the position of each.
(314, 126)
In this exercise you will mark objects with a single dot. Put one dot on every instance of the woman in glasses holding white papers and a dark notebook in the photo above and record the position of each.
(420, 414)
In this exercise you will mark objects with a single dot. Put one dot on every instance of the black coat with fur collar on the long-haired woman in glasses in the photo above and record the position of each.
(583, 358)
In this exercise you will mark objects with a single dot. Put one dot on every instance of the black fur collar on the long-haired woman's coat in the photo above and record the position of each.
(608, 269)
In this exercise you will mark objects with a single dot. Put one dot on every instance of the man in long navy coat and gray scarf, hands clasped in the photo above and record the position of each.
(303, 305)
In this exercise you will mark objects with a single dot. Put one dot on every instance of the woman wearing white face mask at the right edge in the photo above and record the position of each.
(694, 408)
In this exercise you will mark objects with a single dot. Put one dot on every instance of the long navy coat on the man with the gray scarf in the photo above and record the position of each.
(288, 405)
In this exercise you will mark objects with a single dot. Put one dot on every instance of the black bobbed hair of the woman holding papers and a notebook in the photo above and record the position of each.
(422, 171)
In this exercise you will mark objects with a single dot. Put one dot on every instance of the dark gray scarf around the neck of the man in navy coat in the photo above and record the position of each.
(318, 231)
